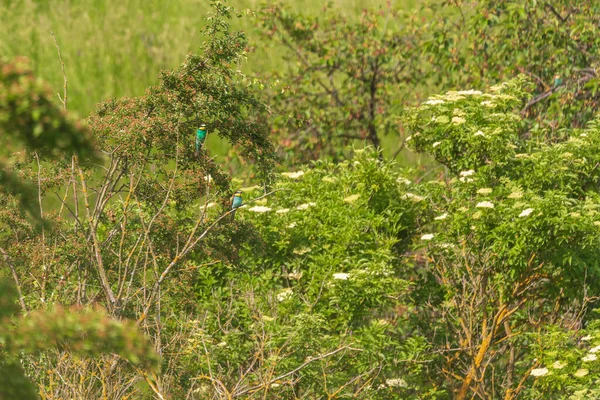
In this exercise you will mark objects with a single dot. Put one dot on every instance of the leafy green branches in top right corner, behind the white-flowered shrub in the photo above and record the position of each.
(493, 41)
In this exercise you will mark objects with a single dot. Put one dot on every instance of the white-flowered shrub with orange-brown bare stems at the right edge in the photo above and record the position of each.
(512, 245)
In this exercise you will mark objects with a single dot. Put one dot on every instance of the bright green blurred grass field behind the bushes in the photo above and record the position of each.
(117, 48)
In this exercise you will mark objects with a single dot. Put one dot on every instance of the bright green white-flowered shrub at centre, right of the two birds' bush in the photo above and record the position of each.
(316, 306)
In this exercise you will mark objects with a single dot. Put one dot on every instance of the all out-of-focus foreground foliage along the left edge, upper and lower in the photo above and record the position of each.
(29, 120)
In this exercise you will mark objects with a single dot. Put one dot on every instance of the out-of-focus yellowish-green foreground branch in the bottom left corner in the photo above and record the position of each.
(86, 333)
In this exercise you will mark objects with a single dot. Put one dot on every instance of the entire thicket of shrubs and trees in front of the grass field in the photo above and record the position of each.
(127, 274)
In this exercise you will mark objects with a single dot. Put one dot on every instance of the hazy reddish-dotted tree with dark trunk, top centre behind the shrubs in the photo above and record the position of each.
(345, 80)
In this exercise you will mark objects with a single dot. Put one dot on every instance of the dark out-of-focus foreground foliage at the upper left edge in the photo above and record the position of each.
(30, 119)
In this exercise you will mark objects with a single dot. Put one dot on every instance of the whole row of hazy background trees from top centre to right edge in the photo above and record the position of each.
(351, 81)
